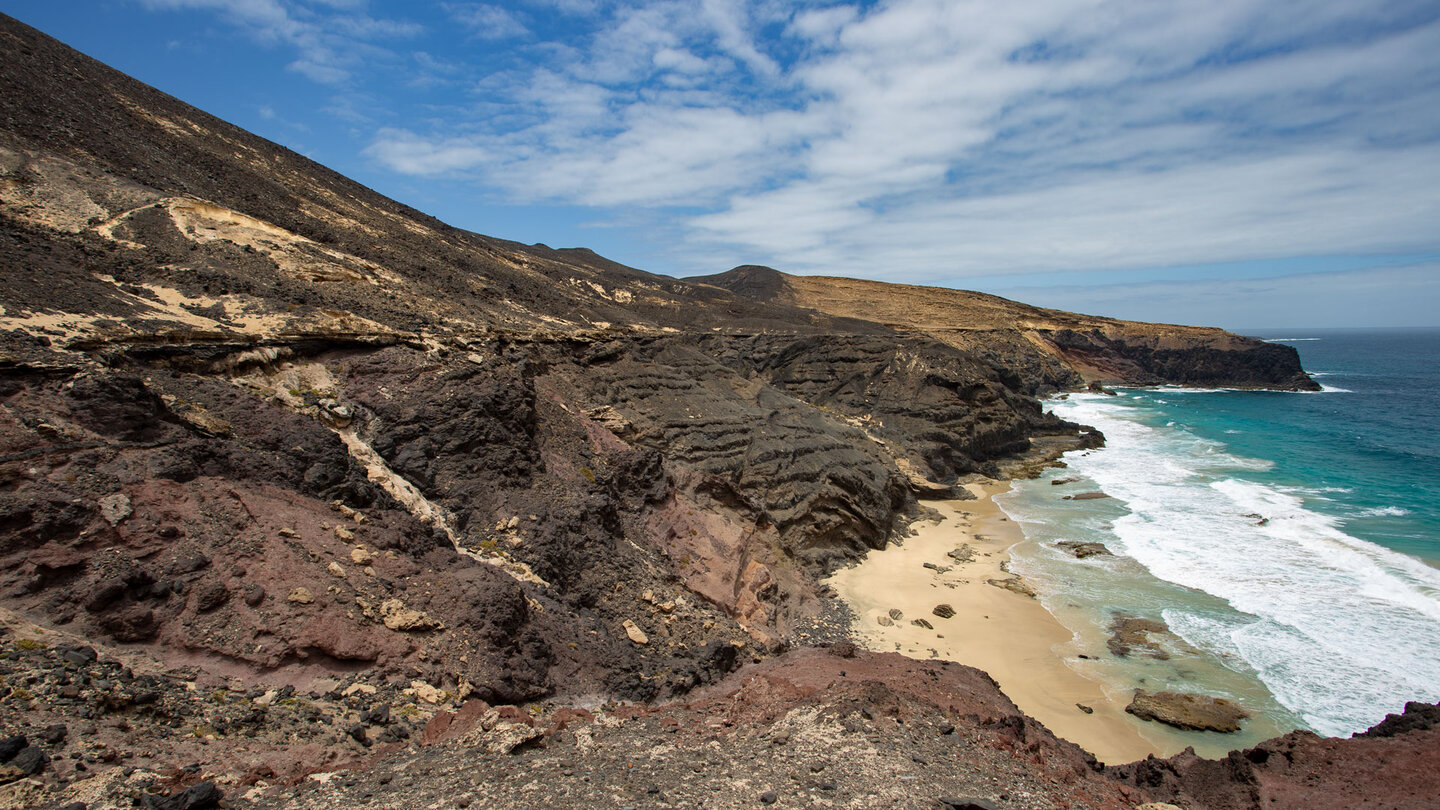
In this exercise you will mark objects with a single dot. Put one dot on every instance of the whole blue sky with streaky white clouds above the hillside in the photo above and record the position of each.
(1245, 164)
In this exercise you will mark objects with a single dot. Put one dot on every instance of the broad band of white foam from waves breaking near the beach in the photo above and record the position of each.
(1338, 629)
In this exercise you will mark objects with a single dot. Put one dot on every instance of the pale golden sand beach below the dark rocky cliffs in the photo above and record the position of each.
(1006, 633)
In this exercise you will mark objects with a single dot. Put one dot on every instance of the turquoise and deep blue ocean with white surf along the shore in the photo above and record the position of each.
(1291, 541)
